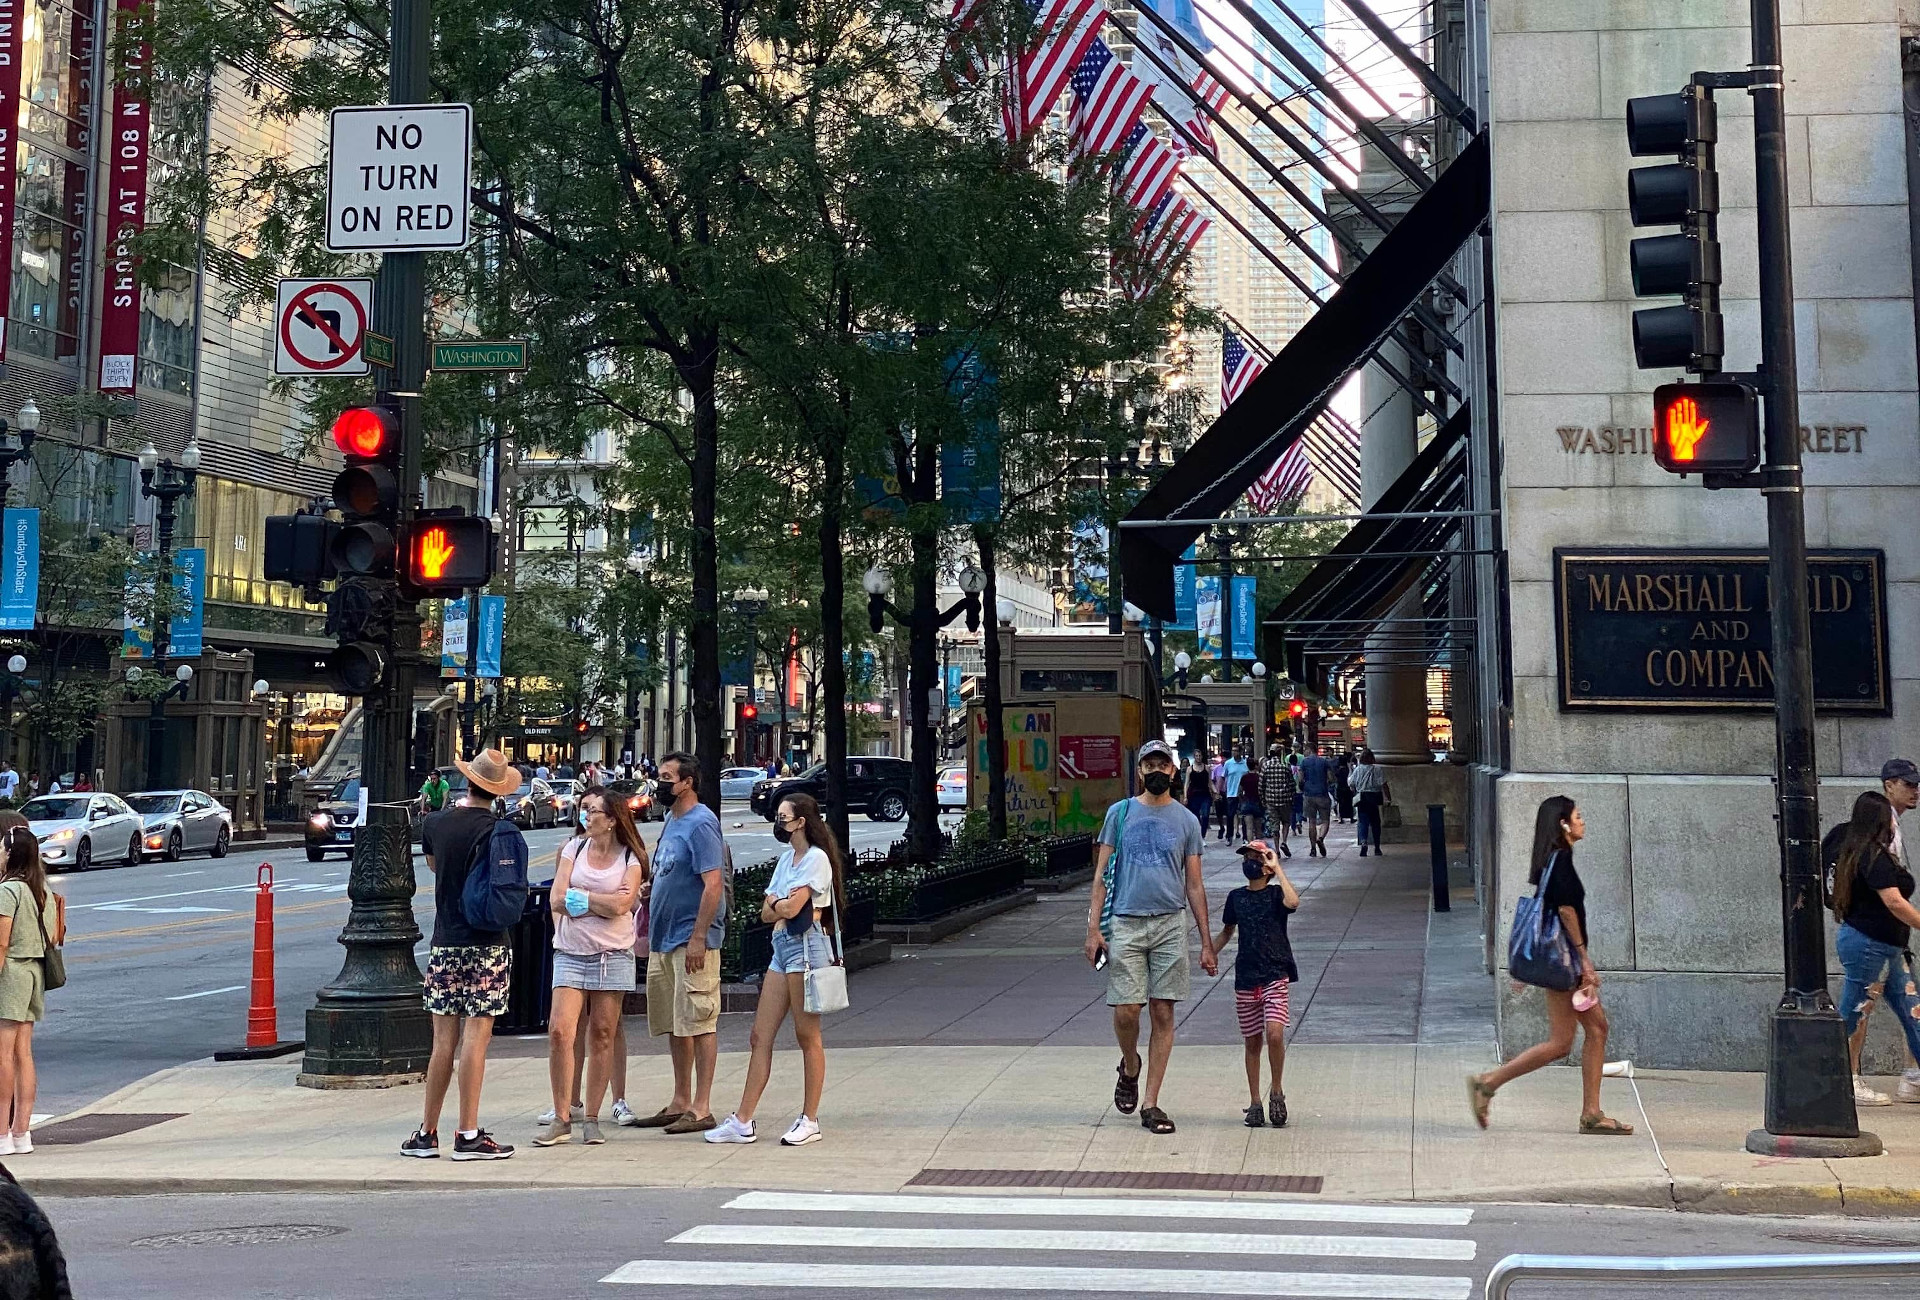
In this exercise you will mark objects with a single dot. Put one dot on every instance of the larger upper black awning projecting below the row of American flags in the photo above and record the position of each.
(1274, 412)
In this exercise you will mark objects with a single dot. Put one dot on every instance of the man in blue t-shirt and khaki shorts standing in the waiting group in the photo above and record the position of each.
(684, 934)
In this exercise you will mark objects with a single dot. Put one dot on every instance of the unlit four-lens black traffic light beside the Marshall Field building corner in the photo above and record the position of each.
(1689, 264)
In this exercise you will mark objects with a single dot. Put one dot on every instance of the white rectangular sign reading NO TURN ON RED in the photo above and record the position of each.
(398, 178)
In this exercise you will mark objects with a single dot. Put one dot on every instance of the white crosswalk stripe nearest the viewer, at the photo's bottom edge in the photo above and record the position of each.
(1120, 1282)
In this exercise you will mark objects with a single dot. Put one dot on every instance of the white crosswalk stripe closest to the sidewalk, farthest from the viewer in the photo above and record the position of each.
(1109, 1207)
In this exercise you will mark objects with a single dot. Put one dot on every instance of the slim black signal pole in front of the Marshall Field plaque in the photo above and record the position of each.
(1810, 1088)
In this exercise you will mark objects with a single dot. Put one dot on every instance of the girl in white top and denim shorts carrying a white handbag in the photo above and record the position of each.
(807, 882)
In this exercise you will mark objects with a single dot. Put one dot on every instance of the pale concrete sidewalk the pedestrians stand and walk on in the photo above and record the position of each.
(988, 1059)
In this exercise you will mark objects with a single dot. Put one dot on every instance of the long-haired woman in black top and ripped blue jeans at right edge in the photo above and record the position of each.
(1869, 892)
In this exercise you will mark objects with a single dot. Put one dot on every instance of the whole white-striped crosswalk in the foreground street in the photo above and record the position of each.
(842, 1241)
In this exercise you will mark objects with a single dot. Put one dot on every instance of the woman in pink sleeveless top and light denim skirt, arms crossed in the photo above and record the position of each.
(594, 900)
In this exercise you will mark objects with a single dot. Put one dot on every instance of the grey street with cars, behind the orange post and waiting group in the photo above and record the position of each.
(160, 955)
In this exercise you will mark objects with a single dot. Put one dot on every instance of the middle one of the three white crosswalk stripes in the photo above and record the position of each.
(1092, 1243)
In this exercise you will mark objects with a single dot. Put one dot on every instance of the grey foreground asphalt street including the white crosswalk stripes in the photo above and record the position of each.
(585, 1243)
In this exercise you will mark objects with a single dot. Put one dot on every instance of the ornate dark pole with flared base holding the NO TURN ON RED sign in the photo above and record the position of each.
(370, 1026)
